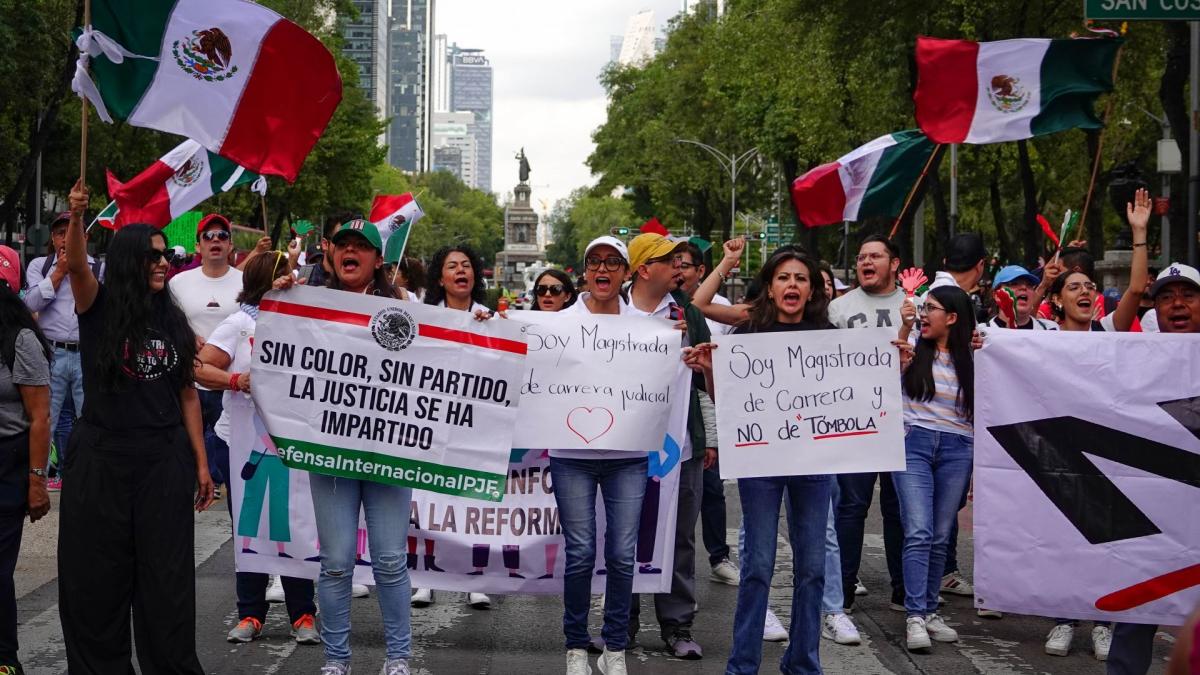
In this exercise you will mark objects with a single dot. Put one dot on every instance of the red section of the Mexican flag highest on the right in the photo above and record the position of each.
(947, 88)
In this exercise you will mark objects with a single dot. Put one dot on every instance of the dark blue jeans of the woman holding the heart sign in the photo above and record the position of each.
(622, 485)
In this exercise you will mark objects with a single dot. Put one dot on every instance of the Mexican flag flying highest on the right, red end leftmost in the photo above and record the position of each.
(1009, 91)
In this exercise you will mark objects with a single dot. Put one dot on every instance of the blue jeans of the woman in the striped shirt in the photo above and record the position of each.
(929, 491)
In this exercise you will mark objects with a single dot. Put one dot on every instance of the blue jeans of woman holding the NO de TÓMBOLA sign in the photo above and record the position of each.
(808, 505)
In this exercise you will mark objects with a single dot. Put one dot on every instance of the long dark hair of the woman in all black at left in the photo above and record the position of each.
(131, 310)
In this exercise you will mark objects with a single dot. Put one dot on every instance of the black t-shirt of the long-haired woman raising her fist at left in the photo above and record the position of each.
(149, 396)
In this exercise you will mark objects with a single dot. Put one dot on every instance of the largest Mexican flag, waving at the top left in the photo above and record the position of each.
(244, 82)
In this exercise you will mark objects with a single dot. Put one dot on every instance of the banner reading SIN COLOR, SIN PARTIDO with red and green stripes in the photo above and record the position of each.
(399, 393)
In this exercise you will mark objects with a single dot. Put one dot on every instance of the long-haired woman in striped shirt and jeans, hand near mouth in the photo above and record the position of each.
(939, 401)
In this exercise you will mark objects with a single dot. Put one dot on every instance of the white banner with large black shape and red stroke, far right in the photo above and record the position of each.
(1088, 475)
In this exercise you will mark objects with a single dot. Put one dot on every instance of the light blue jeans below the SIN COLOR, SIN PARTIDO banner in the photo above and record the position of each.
(337, 503)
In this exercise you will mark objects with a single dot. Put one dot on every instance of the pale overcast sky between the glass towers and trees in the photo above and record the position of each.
(547, 57)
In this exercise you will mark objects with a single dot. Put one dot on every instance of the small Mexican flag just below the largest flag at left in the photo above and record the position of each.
(176, 184)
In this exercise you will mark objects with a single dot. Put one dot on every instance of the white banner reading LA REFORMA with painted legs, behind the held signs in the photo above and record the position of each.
(454, 543)
